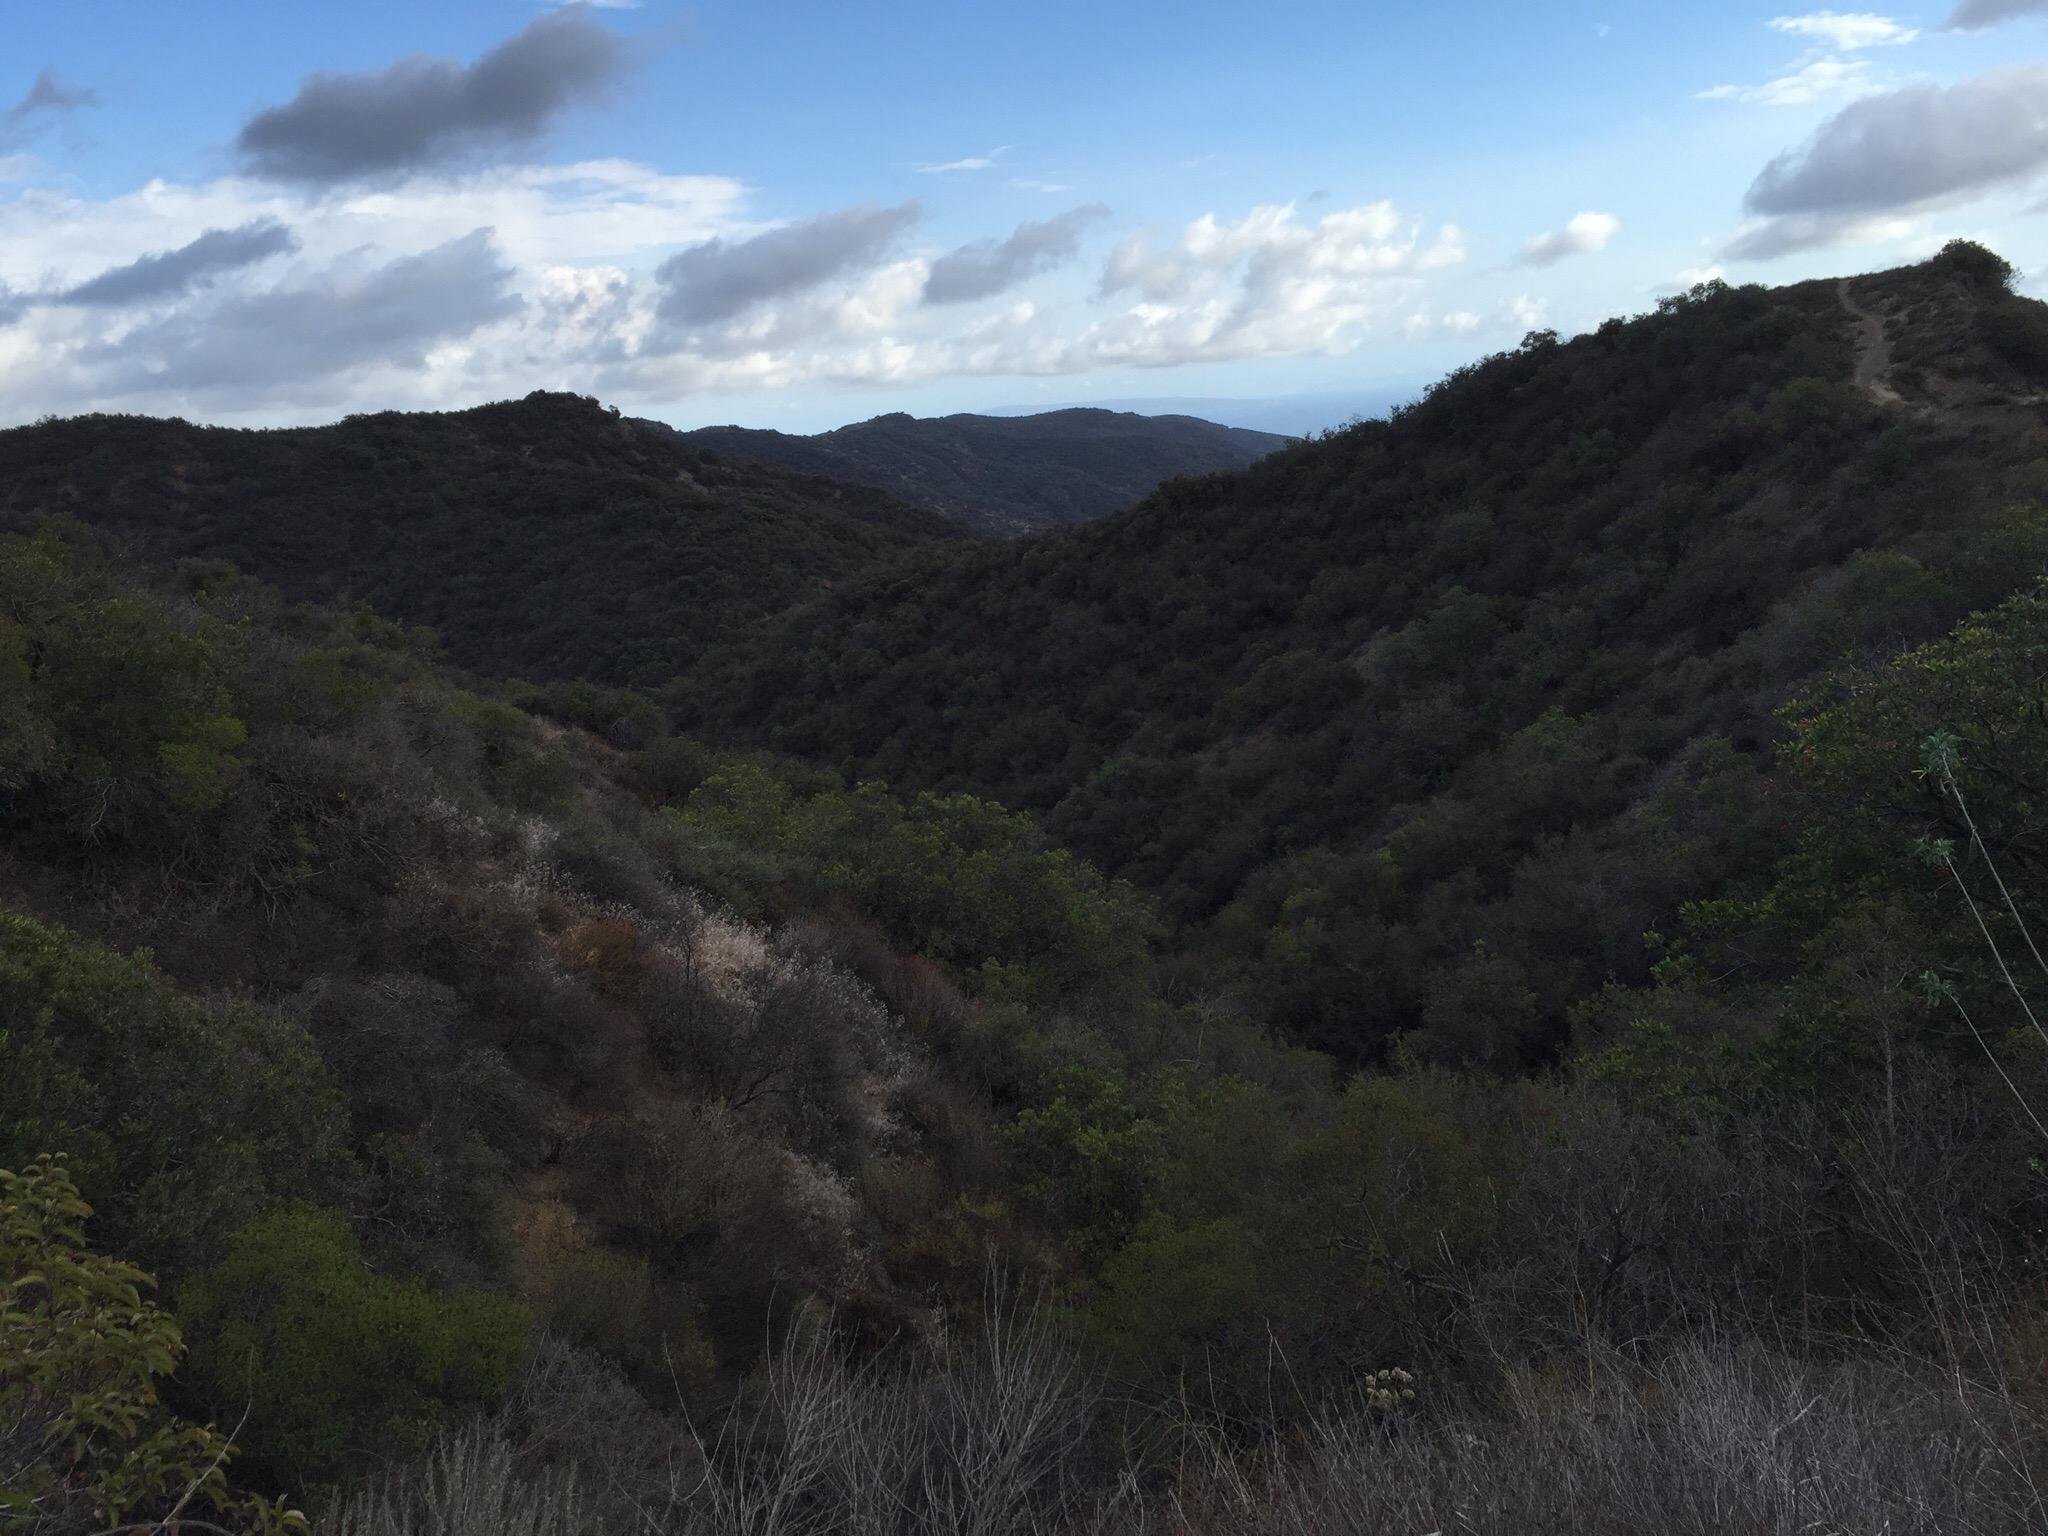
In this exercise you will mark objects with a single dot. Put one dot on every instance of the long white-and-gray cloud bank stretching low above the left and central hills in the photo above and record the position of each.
(259, 300)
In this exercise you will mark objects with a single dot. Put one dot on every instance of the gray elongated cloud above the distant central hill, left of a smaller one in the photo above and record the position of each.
(720, 280)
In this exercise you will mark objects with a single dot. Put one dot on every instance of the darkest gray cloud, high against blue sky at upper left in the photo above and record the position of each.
(425, 112)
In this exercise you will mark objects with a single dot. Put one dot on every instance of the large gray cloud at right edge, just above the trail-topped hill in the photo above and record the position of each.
(1912, 148)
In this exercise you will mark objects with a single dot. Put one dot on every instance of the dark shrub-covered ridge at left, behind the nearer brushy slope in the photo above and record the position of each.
(540, 538)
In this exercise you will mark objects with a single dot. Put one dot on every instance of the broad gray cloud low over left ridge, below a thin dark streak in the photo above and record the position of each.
(300, 335)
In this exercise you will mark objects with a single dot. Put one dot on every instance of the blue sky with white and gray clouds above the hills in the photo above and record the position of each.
(810, 212)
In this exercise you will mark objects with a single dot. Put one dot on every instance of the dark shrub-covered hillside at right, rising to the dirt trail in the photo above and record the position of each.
(1420, 718)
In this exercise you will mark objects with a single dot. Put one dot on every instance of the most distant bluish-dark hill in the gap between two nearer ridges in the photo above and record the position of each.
(1007, 474)
